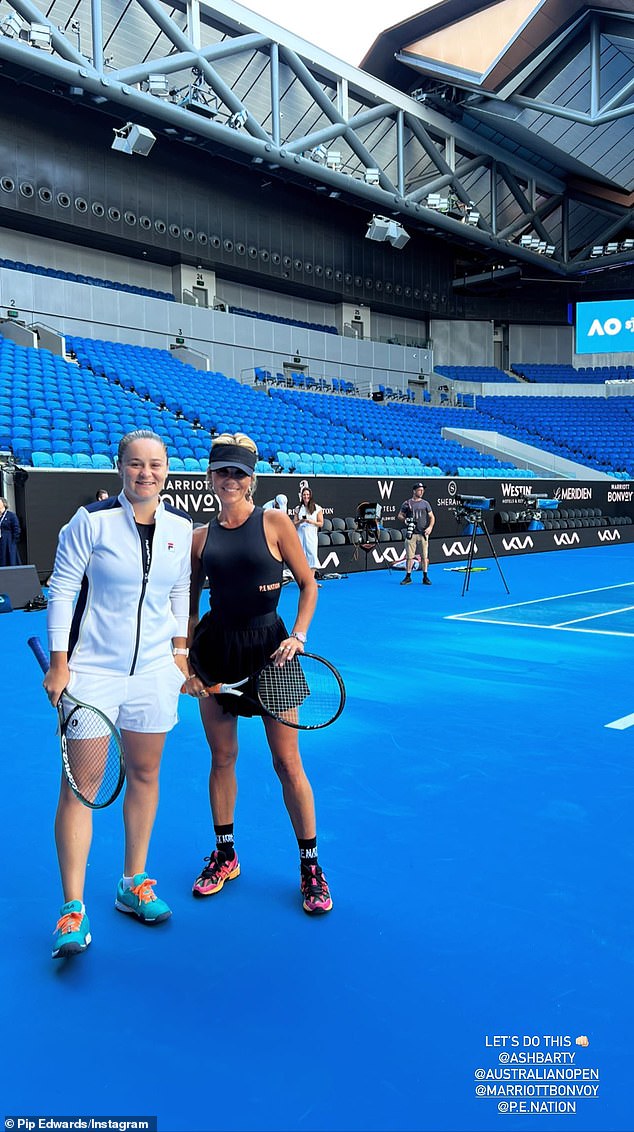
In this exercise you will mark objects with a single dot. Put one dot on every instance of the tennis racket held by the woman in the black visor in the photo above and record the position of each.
(306, 692)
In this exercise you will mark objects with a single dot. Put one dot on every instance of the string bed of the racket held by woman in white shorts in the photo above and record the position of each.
(92, 754)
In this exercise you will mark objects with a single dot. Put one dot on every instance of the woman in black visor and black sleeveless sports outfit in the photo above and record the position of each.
(243, 554)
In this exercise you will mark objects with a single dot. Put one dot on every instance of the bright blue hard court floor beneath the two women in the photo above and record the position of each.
(475, 821)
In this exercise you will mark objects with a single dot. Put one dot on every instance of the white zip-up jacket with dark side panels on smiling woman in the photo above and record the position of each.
(123, 622)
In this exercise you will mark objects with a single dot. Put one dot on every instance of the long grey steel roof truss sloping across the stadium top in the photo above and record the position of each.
(229, 81)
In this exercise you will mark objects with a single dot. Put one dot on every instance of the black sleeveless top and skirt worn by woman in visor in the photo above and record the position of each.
(243, 629)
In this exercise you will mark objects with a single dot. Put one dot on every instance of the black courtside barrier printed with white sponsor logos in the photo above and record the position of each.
(46, 501)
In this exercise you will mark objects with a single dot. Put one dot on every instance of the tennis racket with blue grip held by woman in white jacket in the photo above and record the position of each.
(92, 752)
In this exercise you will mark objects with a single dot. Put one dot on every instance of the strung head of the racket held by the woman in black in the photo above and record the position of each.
(304, 692)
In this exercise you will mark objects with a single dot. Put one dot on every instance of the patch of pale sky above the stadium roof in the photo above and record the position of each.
(344, 28)
